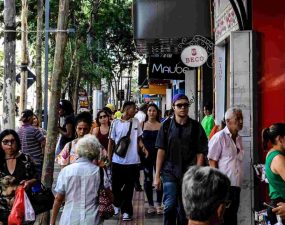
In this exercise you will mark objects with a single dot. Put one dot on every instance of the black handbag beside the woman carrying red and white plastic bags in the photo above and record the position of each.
(42, 200)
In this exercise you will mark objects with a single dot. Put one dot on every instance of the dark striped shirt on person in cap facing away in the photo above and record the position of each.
(31, 139)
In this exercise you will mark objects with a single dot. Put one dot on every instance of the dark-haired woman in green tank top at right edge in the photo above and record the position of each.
(274, 167)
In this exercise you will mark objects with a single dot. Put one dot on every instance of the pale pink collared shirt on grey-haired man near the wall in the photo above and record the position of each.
(228, 154)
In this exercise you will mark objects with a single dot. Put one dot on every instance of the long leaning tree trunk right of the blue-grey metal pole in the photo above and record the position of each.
(58, 69)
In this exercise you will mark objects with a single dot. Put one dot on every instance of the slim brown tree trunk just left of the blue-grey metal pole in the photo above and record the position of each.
(39, 41)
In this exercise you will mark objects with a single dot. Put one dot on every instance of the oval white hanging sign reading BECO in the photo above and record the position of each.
(194, 56)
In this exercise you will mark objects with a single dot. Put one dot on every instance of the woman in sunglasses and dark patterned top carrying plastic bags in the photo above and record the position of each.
(15, 168)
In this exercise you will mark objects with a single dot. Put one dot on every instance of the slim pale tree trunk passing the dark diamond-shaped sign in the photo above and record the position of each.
(24, 56)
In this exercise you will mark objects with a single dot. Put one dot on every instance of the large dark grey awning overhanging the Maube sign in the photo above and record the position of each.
(160, 25)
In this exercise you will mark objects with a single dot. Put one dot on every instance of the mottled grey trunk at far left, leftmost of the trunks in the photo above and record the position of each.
(9, 65)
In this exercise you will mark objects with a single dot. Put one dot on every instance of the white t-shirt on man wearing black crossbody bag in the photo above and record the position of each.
(120, 128)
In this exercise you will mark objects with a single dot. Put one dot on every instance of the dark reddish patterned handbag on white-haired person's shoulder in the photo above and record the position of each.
(105, 196)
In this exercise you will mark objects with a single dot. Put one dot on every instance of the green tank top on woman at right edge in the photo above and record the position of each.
(276, 183)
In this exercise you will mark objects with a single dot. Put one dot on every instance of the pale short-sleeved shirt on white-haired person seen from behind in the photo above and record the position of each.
(79, 183)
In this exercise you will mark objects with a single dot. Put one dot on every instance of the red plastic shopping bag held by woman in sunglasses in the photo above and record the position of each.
(17, 213)
